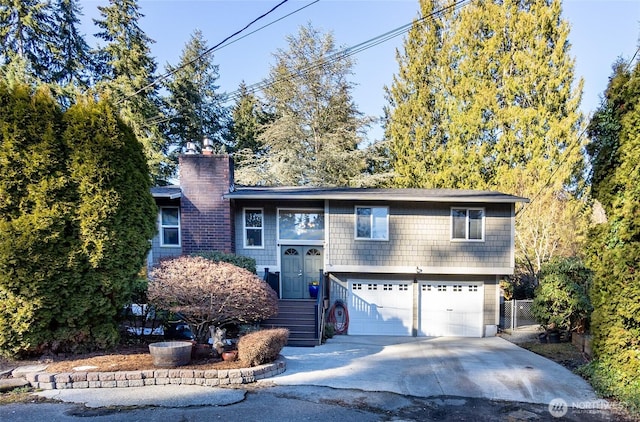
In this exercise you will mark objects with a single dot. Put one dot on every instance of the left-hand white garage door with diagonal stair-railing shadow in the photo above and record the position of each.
(380, 308)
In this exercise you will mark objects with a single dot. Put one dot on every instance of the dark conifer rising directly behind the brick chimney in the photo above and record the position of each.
(193, 106)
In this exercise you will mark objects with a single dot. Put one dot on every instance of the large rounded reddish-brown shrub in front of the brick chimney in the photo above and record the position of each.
(209, 293)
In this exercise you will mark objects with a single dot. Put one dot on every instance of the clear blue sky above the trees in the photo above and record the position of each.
(601, 32)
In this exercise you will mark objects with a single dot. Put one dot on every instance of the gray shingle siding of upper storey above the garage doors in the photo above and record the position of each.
(420, 235)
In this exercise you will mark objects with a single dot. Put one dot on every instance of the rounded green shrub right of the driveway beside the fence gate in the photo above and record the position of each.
(561, 299)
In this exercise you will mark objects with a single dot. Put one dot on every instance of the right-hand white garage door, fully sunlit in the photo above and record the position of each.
(451, 309)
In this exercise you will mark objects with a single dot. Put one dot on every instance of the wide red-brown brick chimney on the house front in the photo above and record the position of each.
(206, 218)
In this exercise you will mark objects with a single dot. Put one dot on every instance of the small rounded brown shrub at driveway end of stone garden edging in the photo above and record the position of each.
(262, 346)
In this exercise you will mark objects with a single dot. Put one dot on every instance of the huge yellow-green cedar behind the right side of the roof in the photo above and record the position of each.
(484, 100)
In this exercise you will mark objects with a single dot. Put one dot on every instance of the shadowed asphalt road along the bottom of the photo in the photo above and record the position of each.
(306, 403)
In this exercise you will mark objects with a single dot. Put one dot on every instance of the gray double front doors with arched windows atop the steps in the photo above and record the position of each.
(300, 266)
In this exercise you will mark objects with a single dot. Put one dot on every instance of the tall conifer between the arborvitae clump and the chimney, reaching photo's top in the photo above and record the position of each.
(128, 72)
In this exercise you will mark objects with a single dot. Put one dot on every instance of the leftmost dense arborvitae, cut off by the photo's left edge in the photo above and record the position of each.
(35, 221)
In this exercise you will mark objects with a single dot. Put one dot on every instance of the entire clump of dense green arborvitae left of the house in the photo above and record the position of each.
(76, 217)
